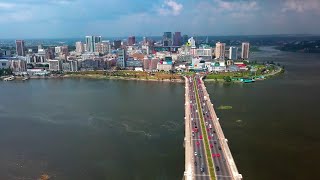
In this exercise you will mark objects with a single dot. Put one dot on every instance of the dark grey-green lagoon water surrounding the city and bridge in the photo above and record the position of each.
(105, 129)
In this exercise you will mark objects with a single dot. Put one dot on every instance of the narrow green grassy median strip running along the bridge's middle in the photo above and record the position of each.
(205, 138)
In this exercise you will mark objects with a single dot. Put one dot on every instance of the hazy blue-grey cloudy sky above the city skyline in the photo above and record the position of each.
(121, 18)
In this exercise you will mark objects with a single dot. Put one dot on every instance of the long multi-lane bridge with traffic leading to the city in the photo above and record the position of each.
(207, 154)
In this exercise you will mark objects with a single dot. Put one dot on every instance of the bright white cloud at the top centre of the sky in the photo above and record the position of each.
(170, 7)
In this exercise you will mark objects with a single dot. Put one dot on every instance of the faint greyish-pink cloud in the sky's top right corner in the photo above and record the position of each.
(301, 5)
